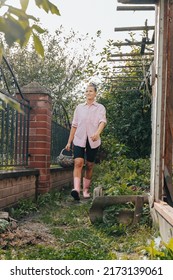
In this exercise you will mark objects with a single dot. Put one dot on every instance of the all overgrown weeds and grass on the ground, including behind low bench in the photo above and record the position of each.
(68, 222)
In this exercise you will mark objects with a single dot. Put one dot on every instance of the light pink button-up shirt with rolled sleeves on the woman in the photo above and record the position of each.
(87, 119)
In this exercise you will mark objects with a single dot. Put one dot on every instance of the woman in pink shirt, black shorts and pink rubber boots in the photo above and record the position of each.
(88, 122)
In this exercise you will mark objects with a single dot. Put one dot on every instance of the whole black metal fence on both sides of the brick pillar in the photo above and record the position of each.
(14, 122)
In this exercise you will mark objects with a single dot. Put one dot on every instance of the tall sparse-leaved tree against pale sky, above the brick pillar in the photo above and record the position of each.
(63, 68)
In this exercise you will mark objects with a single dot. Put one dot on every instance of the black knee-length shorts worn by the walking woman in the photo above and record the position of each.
(86, 153)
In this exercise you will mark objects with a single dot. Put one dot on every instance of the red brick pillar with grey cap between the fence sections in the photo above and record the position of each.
(39, 132)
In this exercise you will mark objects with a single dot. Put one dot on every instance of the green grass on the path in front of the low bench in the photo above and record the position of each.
(75, 237)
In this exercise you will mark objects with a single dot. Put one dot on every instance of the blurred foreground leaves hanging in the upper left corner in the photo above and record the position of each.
(18, 26)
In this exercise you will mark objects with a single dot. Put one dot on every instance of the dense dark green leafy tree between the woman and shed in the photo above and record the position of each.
(128, 107)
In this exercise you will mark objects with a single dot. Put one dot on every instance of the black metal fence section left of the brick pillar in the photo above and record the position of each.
(14, 120)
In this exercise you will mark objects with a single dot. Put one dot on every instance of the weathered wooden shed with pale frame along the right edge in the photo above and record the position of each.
(161, 189)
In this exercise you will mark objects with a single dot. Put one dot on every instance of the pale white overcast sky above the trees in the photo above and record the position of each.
(89, 16)
